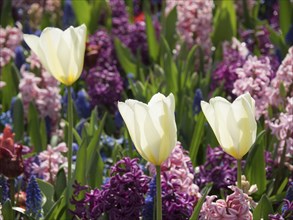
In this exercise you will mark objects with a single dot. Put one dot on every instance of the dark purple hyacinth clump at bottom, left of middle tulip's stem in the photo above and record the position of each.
(122, 197)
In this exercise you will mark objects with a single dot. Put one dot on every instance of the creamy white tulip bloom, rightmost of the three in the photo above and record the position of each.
(233, 123)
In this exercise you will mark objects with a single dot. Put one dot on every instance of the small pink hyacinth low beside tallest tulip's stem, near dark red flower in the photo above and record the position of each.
(49, 162)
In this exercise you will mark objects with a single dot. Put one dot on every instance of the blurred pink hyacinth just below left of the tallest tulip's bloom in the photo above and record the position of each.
(42, 90)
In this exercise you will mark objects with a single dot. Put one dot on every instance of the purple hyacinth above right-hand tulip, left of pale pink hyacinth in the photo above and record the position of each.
(234, 56)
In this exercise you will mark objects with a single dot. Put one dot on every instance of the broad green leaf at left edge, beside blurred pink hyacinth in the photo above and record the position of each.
(10, 77)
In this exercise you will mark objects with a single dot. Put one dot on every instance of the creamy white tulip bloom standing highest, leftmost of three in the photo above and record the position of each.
(60, 52)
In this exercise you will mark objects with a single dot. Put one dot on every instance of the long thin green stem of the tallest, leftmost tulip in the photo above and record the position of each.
(69, 138)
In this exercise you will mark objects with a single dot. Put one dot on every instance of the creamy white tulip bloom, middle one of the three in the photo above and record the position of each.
(151, 126)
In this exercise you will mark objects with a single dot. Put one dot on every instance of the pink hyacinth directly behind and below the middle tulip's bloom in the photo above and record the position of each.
(179, 167)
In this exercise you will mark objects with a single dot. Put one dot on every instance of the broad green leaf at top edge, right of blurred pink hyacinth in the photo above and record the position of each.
(224, 22)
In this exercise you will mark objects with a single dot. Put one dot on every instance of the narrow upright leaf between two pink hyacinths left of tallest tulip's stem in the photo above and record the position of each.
(34, 128)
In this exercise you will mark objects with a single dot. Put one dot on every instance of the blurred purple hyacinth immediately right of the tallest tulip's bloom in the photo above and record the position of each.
(104, 82)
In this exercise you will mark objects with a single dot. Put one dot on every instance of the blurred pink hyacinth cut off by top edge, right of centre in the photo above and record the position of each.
(194, 22)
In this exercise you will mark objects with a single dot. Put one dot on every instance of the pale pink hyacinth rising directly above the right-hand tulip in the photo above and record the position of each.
(254, 77)
